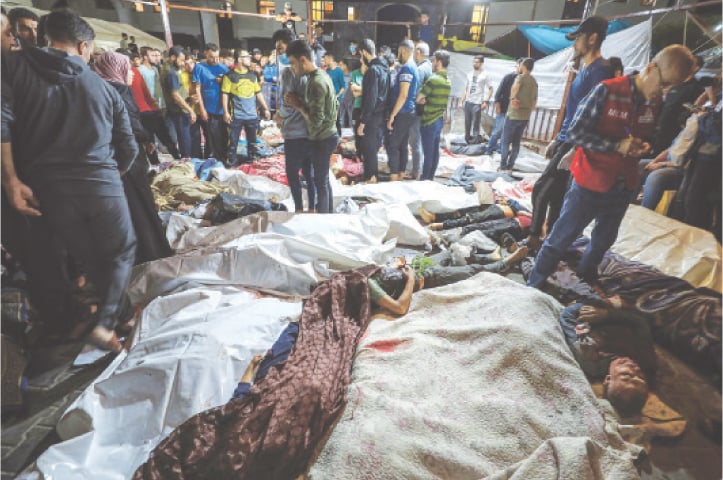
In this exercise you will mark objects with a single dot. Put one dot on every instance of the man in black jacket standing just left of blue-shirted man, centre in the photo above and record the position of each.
(375, 89)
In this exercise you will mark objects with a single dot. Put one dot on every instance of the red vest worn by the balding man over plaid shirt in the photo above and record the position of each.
(599, 171)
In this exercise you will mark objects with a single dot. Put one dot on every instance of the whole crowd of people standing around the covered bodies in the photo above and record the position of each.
(80, 210)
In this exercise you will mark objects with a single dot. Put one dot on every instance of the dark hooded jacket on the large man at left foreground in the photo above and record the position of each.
(69, 128)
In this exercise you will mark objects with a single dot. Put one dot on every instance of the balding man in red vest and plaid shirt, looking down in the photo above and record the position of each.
(611, 130)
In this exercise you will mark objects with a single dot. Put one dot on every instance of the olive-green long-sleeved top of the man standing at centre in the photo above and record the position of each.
(323, 106)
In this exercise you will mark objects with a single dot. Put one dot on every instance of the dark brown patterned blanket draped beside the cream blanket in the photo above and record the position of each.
(272, 433)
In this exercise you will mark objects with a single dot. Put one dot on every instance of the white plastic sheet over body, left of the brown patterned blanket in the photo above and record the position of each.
(190, 351)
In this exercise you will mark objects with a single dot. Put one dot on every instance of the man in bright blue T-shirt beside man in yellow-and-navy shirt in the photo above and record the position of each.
(207, 77)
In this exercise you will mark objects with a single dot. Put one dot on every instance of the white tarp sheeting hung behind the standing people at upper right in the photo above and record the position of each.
(632, 45)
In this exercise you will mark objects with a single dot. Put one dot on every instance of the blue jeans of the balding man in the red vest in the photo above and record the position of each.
(581, 206)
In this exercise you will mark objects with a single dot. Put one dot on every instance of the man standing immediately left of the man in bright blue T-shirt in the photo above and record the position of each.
(180, 114)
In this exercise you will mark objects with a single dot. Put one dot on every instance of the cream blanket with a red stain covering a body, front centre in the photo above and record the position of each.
(474, 382)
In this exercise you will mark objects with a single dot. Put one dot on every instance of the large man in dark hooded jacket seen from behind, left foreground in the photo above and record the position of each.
(71, 177)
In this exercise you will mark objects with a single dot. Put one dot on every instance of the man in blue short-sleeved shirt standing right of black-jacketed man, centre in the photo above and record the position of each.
(402, 115)
